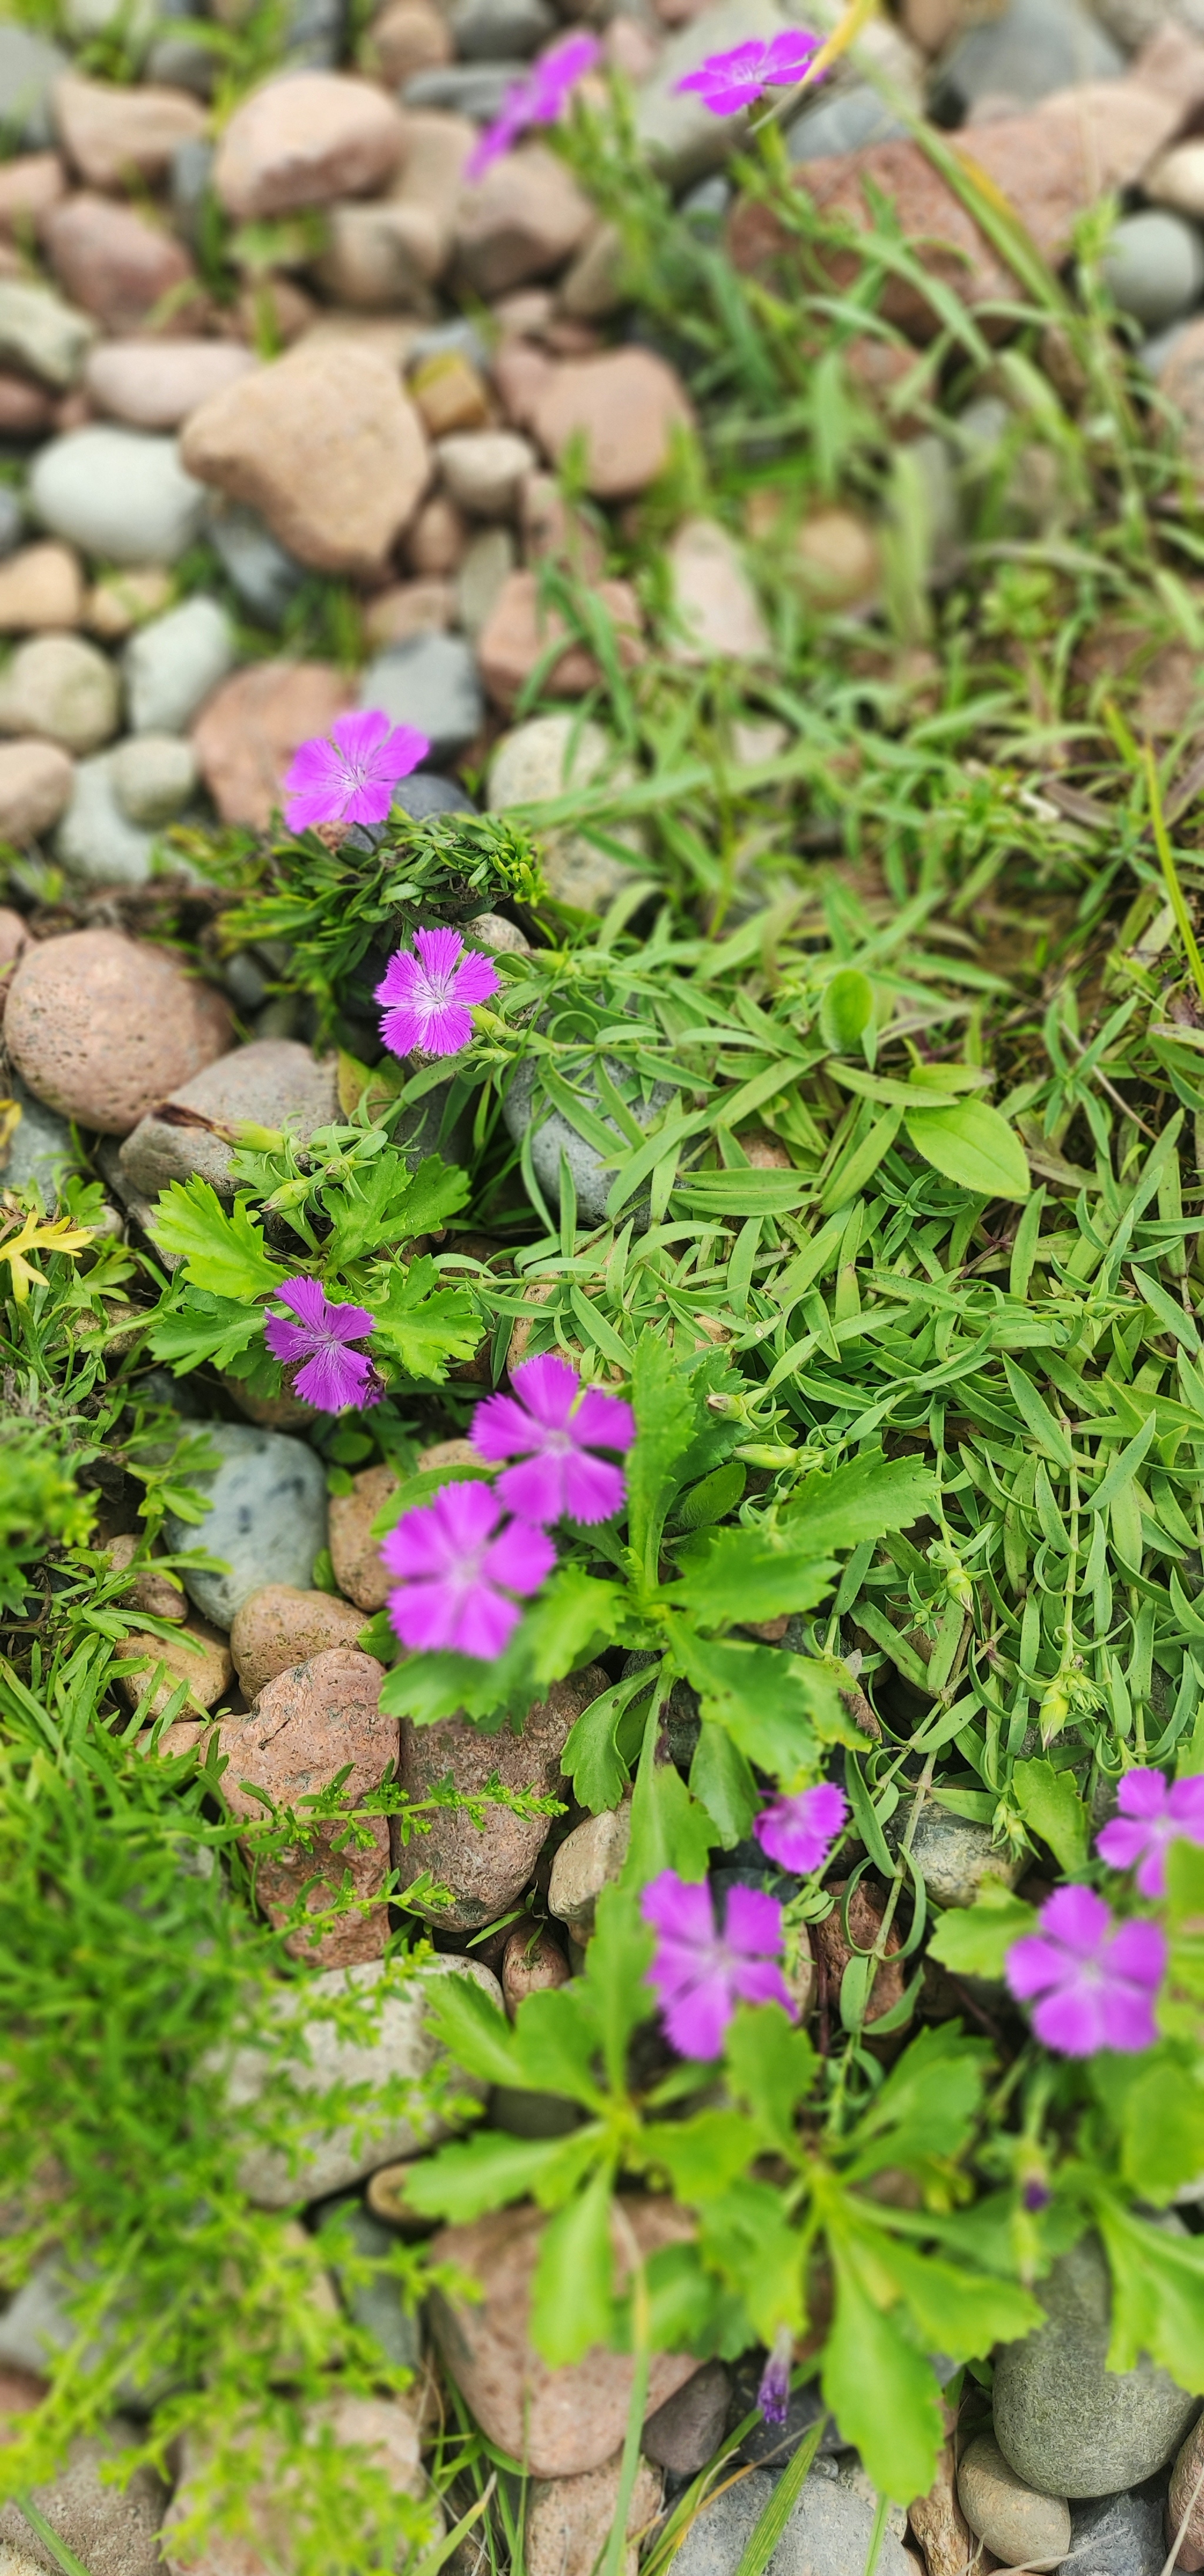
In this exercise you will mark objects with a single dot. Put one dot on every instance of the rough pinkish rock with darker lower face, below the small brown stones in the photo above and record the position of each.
(306, 1727)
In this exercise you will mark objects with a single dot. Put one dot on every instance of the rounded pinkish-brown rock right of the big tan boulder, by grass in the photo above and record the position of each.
(625, 408)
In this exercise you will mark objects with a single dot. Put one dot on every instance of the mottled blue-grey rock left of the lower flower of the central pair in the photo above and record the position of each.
(267, 1519)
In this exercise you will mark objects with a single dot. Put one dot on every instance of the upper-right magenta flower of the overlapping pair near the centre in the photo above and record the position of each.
(553, 1423)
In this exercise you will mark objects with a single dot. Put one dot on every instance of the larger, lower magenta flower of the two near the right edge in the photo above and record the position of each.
(1094, 1980)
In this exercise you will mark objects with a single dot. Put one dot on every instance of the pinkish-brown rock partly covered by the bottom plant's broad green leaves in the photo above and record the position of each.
(561, 2423)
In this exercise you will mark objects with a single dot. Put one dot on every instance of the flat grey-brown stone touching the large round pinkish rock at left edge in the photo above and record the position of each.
(272, 1083)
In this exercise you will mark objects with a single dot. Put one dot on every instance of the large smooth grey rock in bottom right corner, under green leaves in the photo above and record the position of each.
(1066, 2423)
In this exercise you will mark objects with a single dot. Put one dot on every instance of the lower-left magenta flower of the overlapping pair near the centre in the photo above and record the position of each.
(458, 1570)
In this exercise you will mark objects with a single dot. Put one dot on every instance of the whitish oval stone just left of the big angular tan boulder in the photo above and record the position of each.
(120, 496)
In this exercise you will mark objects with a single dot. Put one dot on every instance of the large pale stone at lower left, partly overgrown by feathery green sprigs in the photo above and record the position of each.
(401, 2047)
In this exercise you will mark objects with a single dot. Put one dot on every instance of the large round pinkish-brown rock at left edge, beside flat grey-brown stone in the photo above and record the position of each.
(104, 1027)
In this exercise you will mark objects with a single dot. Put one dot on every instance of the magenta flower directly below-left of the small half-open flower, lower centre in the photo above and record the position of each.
(700, 1972)
